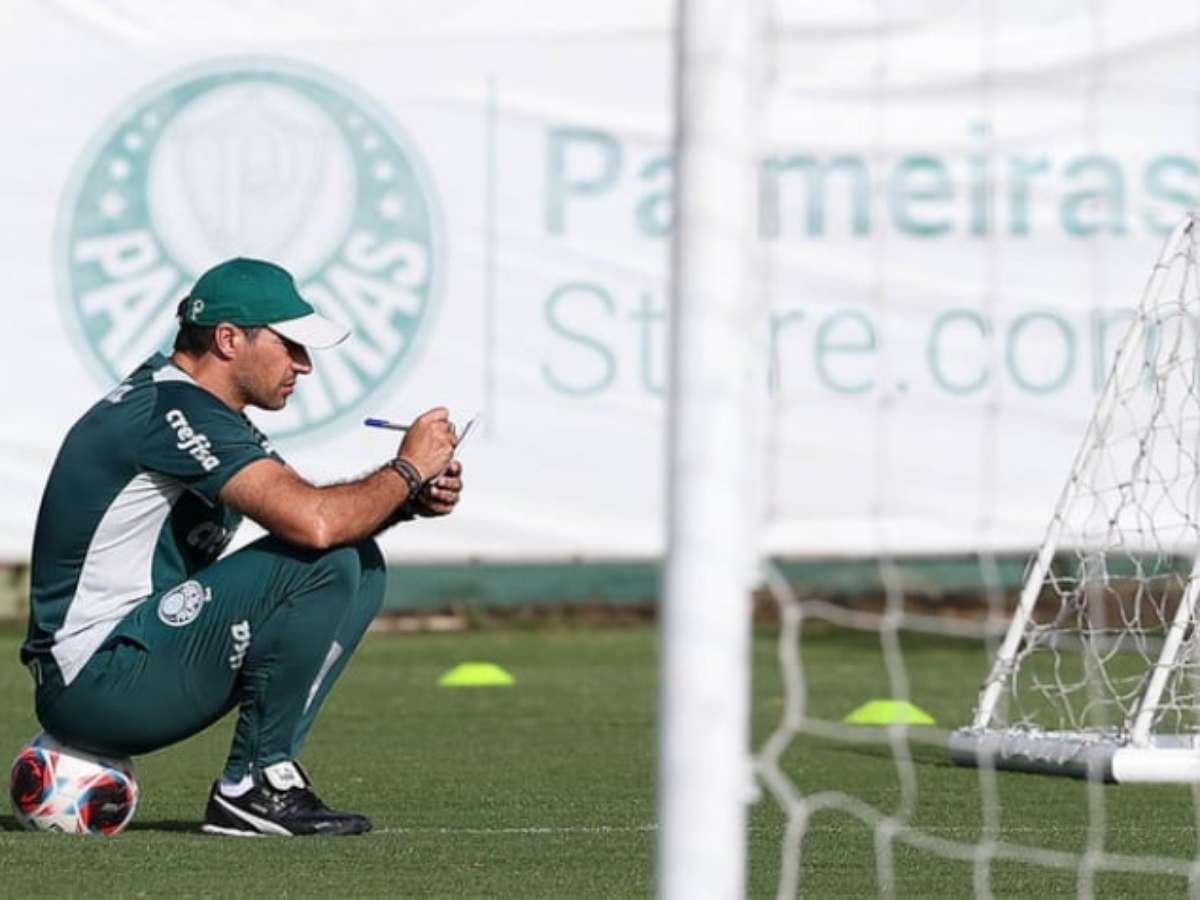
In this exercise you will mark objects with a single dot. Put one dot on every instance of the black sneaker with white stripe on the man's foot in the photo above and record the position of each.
(283, 803)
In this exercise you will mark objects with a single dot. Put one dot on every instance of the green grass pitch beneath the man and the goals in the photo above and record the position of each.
(547, 790)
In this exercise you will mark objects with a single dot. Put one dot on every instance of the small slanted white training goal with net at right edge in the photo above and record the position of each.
(1099, 675)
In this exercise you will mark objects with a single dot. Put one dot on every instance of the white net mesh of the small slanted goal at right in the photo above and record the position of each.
(1124, 538)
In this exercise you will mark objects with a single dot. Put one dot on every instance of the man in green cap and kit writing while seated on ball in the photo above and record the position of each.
(140, 635)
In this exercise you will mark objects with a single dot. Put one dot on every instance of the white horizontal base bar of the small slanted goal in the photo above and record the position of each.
(1097, 757)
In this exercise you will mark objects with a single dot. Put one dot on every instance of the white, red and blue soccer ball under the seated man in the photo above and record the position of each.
(57, 789)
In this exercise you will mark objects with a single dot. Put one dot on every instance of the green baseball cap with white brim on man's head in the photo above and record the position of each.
(253, 292)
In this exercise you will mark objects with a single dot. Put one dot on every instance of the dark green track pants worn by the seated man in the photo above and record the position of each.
(268, 631)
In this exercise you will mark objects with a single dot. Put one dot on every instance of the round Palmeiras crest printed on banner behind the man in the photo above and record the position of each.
(257, 159)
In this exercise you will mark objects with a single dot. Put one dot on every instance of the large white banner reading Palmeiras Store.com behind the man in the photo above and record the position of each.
(961, 205)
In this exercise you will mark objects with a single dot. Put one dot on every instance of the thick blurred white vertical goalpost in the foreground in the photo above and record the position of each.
(717, 379)
